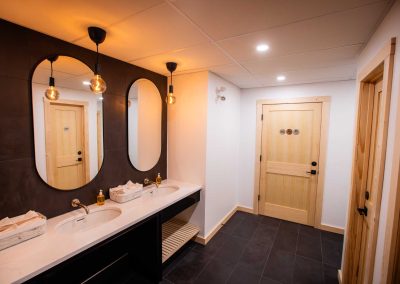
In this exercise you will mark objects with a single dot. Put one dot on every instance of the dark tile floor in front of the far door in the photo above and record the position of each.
(258, 249)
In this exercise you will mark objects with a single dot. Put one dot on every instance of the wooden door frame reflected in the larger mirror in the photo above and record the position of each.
(85, 106)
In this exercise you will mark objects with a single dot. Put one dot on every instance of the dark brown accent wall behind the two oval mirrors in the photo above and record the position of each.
(21, 187)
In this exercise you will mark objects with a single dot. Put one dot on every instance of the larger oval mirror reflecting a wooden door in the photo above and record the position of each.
(68, 123)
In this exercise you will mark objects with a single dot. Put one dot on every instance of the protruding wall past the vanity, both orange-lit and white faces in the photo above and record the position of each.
(203, 144)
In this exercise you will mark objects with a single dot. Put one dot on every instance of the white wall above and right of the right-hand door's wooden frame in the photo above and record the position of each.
(390, 27)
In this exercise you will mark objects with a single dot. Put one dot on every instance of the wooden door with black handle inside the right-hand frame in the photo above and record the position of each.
(368, 194)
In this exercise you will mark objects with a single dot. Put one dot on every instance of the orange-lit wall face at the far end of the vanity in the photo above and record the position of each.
(187, 129)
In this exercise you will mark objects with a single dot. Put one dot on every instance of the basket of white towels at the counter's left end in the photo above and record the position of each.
(21, 228)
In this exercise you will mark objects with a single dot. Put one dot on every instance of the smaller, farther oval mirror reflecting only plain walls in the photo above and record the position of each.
(144, 124)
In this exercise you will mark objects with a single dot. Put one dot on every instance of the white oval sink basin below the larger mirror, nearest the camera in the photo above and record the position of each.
(85, 222)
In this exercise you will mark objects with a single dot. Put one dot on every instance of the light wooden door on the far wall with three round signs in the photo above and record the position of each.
(289, 145)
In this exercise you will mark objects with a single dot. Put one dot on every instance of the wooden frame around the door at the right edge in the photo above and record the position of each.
(382, 61)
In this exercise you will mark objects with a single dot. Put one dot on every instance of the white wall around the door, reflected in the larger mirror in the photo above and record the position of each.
(39, 129)
